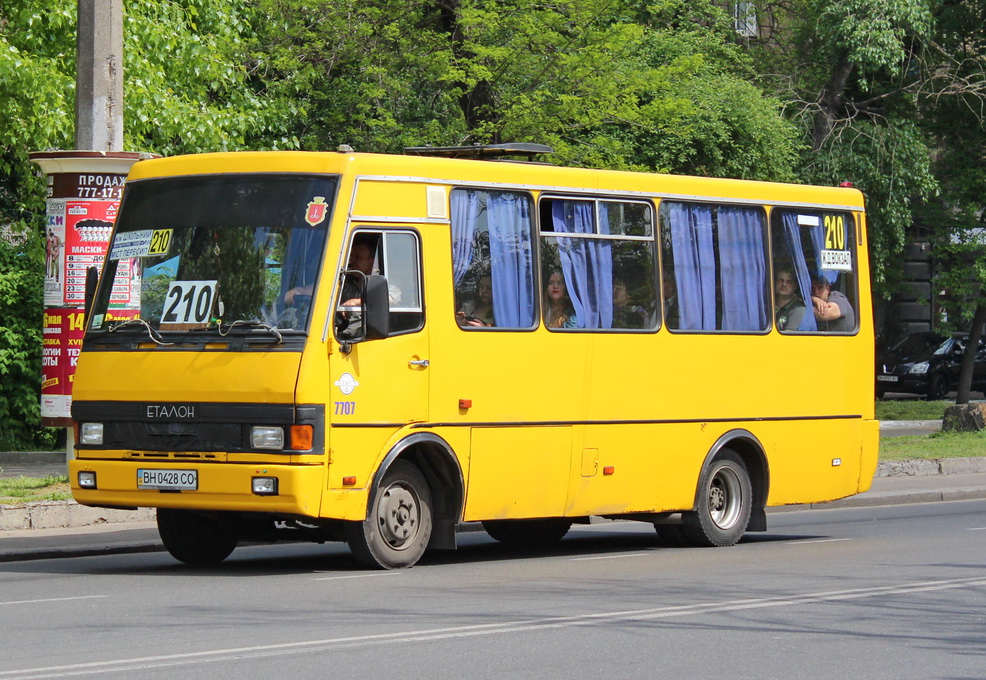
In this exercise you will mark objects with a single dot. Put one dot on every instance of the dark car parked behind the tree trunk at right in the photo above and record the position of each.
(926, 364)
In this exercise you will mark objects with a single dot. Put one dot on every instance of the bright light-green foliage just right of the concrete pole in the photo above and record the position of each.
(190, 88)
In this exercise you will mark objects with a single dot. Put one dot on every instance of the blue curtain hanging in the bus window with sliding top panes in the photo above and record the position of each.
(587, 264)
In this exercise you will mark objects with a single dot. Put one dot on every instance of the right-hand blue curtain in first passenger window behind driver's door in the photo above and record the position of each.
(512, 271)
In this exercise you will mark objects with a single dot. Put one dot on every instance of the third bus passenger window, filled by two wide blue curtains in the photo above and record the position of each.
(715, 267)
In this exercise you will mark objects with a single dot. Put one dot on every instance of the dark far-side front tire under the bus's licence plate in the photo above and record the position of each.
(196, 538)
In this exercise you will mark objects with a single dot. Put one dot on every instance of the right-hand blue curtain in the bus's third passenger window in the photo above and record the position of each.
(742, 269)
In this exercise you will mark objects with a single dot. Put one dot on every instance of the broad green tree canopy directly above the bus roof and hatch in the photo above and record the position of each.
(642, 85)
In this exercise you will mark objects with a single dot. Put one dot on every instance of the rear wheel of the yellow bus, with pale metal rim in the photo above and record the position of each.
(724, 502)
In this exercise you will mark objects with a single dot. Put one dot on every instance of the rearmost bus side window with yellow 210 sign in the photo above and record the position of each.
(814, 271)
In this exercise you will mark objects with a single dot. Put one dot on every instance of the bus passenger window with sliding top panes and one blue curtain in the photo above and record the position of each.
(598, 268)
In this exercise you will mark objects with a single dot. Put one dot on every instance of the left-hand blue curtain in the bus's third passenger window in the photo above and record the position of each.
(694, 264)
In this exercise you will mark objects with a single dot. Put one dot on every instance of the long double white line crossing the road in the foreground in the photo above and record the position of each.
(508, 627)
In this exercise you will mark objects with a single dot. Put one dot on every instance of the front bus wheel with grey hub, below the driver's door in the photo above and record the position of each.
(398, 525)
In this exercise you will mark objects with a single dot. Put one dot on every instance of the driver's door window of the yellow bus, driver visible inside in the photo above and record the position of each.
(396, 255)
